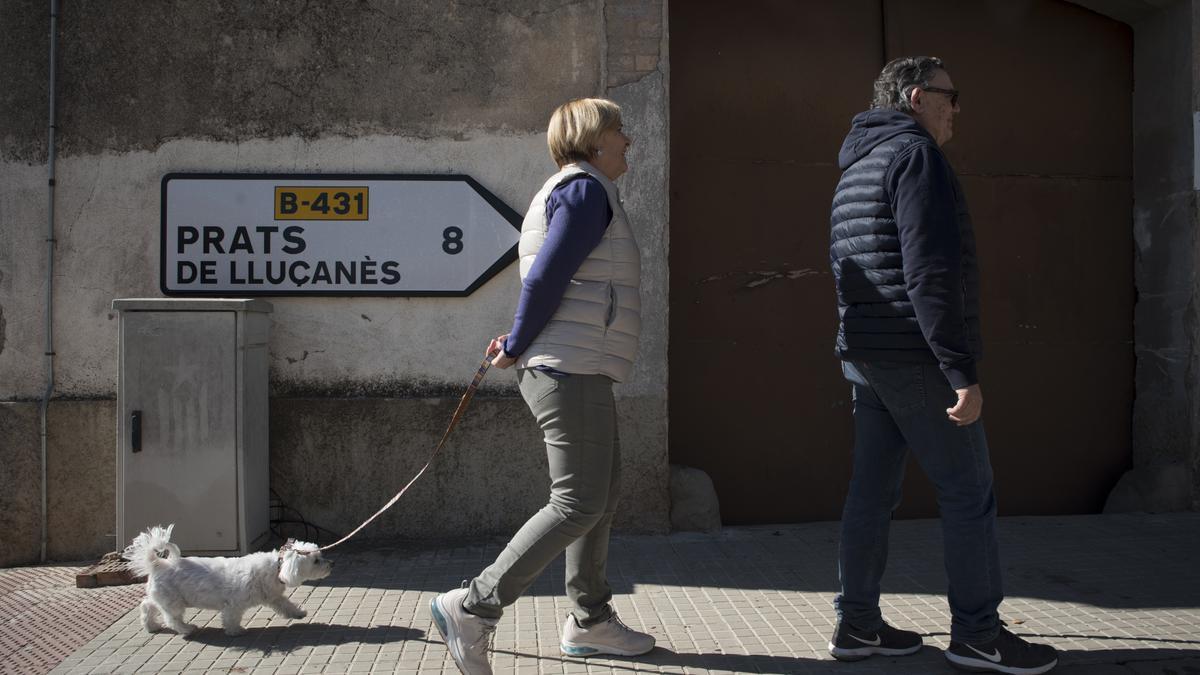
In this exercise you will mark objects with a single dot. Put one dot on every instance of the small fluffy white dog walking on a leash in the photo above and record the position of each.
(231, 586)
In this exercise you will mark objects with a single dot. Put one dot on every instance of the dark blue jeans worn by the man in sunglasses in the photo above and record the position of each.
(902, 407)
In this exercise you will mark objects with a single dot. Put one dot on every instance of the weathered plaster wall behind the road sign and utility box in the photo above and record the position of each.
(361, 386)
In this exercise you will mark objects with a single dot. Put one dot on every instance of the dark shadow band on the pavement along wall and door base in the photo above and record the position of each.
(1111, 561)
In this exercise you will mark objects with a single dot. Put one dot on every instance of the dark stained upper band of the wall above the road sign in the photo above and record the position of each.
(135, 76)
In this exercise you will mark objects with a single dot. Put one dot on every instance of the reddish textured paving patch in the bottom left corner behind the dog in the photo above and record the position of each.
(34, 601)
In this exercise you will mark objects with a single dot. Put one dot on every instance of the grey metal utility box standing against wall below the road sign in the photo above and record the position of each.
(193, 422)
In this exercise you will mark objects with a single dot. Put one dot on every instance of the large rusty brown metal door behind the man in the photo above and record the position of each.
(761, 99)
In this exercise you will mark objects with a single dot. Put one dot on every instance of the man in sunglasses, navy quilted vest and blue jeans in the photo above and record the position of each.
(903, 254)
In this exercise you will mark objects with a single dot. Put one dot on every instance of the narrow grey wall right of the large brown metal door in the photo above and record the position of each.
(1167, 331)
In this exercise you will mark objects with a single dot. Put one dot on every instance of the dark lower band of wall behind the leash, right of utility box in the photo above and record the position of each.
(338, 461)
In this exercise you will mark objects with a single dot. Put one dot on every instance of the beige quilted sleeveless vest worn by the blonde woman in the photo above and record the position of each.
(596, 328)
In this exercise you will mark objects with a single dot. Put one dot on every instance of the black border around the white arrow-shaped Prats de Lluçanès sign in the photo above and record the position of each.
(505, 261)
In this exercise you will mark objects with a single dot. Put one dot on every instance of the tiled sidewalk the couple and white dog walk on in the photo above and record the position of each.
(1115, 594)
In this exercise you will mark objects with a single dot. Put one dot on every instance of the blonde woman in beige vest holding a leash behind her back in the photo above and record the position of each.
(574, 334)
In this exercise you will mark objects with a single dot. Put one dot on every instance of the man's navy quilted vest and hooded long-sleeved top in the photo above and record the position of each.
(903, 254)
